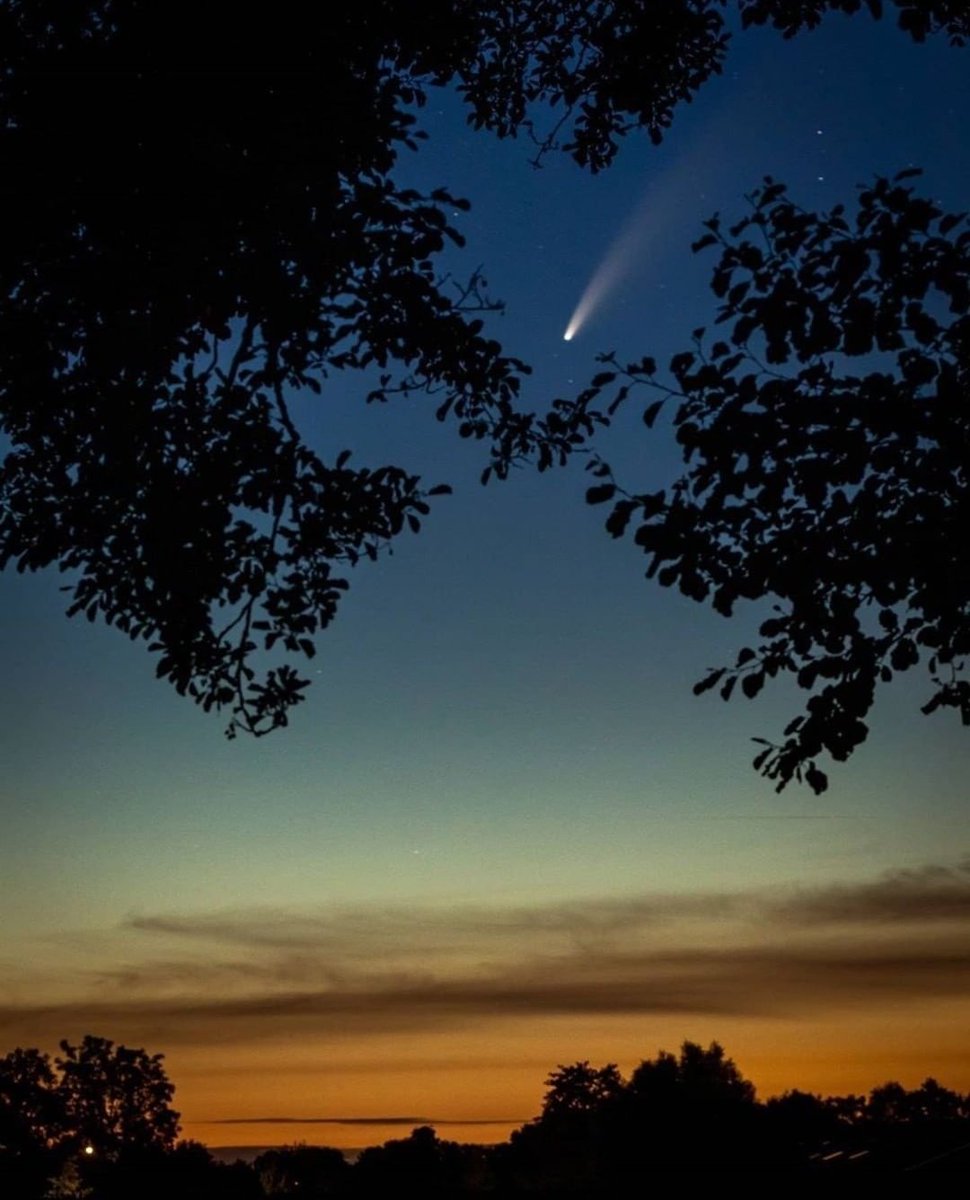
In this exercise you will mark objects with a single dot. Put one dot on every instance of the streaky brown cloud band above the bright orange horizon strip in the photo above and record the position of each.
(253, 976)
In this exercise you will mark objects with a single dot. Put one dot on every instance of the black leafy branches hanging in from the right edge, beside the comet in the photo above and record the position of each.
(825, 442)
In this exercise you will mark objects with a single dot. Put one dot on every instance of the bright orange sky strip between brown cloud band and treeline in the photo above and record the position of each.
(500, 1077)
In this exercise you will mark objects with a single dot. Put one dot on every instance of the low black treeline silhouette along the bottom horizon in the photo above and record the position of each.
(98, 1123)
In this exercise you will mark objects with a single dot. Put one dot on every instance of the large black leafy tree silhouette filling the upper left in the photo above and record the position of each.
(202, 221)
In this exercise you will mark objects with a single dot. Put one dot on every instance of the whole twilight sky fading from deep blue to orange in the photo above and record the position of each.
(502, 833)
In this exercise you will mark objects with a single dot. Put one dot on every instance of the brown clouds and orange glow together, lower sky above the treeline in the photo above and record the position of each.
(348, 1027)
